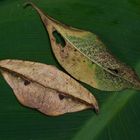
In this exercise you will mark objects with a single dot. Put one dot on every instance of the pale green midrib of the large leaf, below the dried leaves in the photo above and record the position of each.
(96, 124)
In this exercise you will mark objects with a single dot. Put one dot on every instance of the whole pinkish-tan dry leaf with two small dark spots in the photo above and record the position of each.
(46, 88)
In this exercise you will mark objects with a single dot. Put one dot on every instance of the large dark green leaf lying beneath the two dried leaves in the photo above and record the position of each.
(22, 36)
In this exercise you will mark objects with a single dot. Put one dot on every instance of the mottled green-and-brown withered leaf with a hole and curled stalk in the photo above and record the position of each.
(86, 58)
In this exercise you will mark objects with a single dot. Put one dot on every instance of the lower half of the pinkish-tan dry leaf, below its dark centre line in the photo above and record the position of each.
(47, 101)
